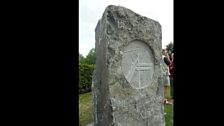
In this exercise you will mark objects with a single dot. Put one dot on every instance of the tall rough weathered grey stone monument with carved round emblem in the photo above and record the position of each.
(127, 84)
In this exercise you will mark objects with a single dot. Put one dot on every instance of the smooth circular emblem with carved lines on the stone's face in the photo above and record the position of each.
(138, 64)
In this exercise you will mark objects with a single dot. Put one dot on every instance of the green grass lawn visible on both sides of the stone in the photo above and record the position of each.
(86, 108)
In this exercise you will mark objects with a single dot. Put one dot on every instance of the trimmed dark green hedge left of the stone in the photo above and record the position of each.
(85, 77)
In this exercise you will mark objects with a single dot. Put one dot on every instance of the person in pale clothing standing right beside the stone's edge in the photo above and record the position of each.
(165, 71)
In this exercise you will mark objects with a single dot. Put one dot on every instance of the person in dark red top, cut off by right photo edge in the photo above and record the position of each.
(171, 68)
